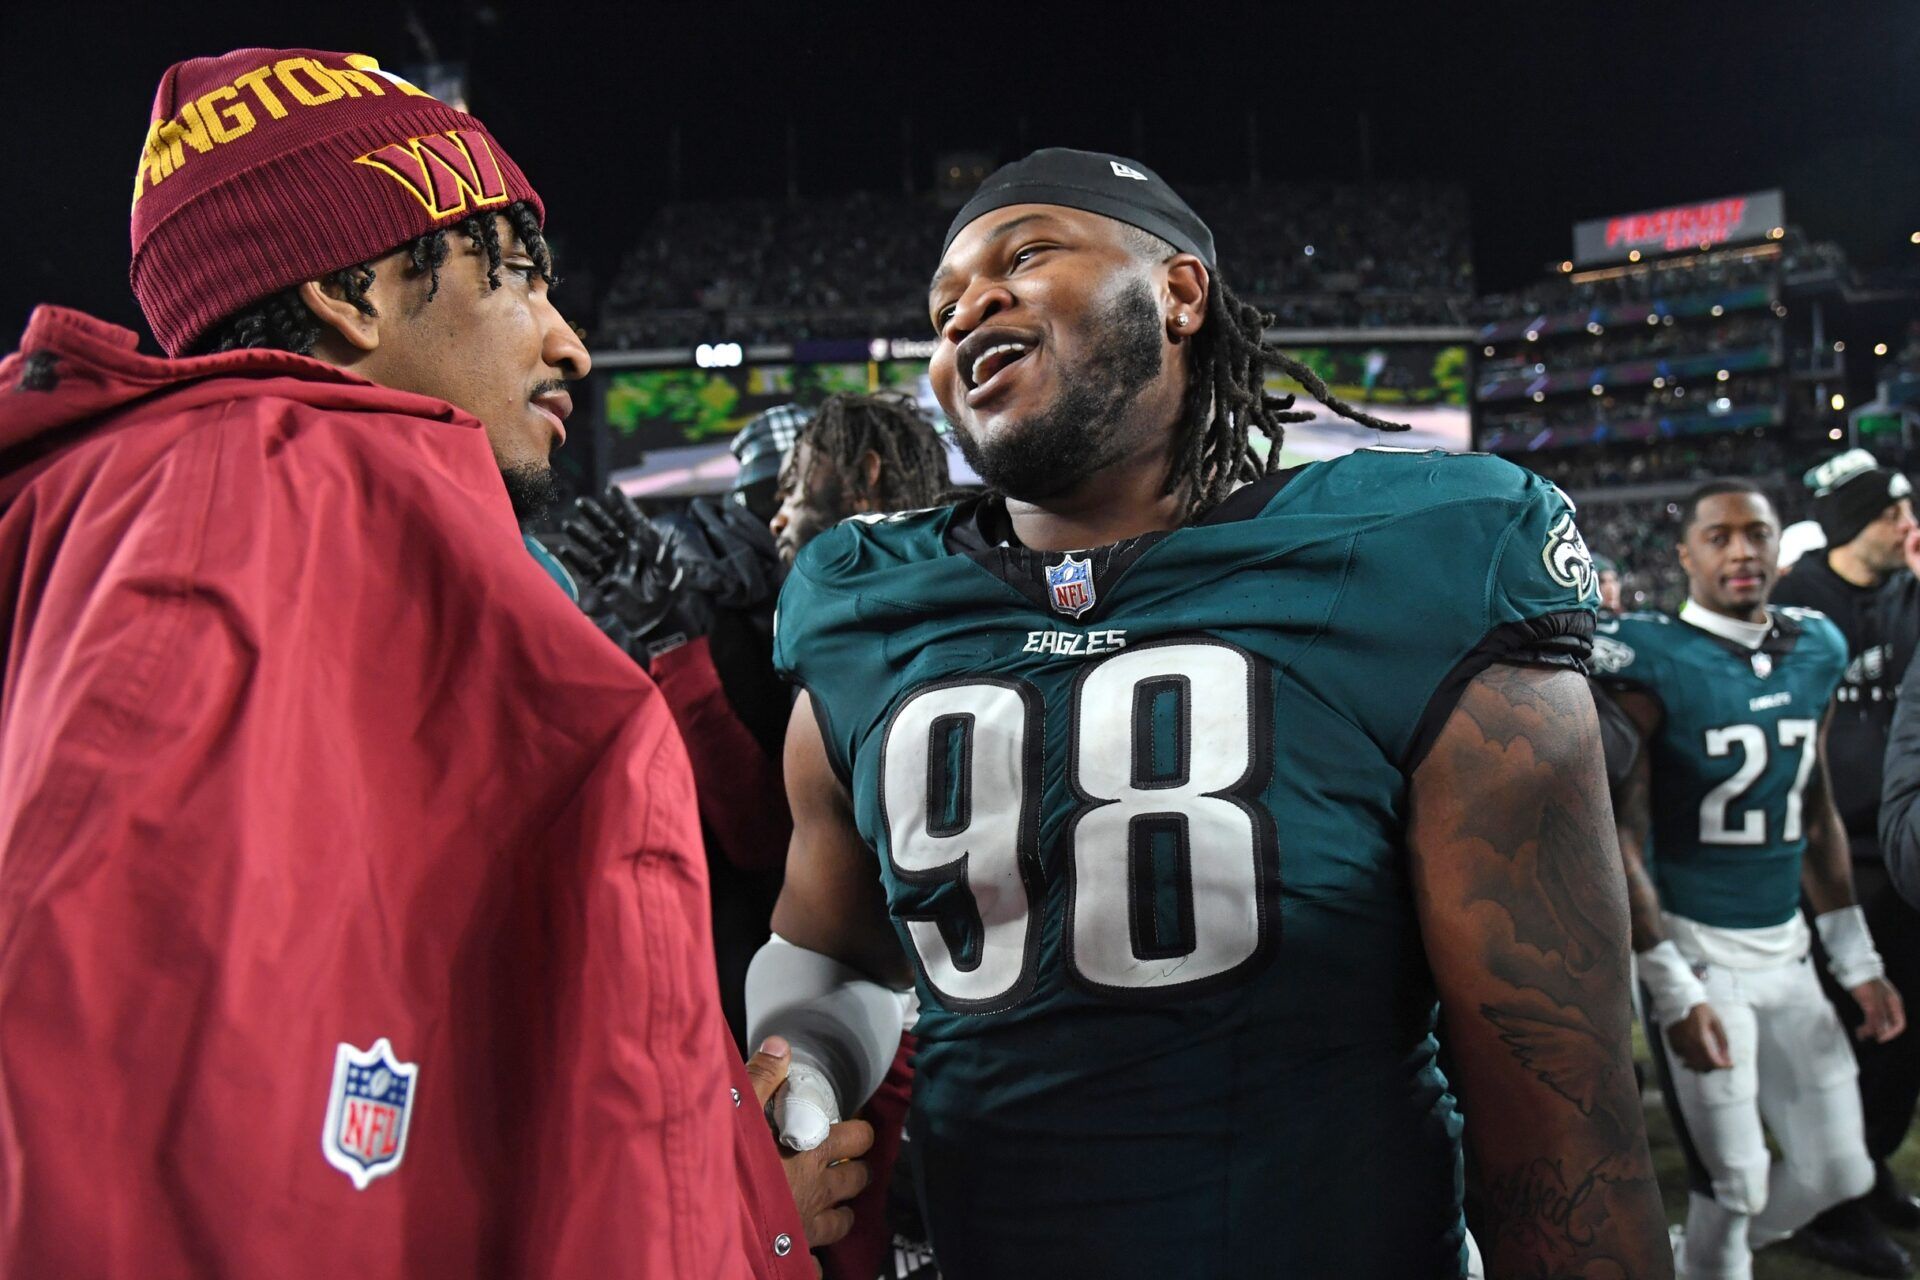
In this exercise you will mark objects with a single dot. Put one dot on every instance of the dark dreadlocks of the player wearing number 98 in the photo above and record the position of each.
(1228, 398)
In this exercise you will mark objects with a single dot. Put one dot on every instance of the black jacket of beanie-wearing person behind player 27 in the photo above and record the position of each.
(1881, 627)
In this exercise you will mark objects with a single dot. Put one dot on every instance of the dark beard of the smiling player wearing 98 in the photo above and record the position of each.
(1078, 435)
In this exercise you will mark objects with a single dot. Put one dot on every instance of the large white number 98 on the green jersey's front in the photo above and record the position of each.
(1170, 861)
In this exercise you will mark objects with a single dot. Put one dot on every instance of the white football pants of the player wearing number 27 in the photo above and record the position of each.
(1792, 1072)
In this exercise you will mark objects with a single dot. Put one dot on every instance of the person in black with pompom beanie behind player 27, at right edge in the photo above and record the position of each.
(1865, 515)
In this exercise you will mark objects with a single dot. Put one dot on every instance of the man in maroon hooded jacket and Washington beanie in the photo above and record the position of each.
(352, 905)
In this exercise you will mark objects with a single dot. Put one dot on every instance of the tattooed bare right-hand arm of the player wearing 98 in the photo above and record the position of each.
(1524, 911)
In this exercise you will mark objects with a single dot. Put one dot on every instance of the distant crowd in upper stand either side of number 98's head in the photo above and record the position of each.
(1316, 254)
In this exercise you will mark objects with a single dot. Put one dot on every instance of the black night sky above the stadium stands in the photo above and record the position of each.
(1547, 112)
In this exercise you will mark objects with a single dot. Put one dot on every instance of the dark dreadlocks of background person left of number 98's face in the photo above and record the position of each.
(846, 429)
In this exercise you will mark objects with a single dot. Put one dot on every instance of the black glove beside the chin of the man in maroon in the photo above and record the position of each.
(635, 577)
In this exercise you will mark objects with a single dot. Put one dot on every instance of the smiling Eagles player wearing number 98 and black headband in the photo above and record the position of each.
(1186, 790)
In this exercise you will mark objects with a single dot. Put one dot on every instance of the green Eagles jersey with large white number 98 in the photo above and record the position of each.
(1140, 815)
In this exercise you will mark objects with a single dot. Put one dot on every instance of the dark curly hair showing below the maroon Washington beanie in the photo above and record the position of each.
(281, 321)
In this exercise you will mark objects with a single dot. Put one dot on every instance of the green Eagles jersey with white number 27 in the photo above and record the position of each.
(1733, 757)
